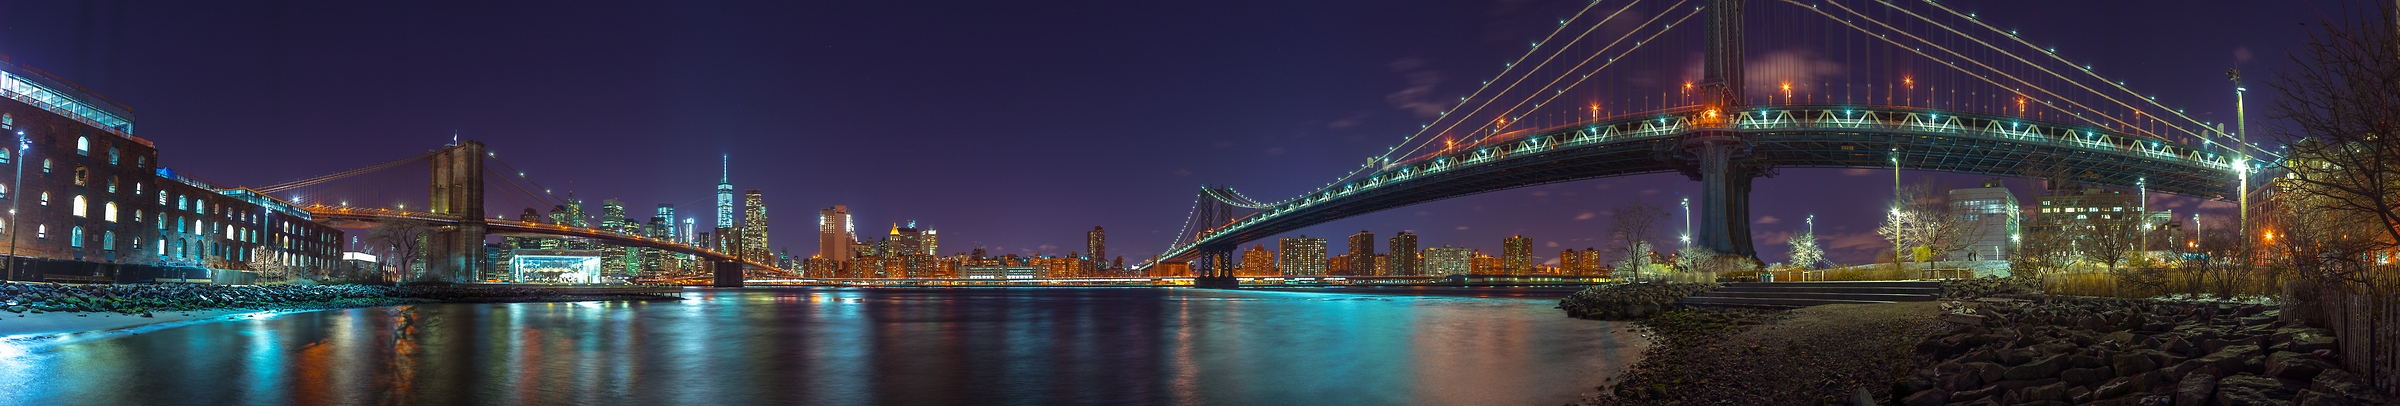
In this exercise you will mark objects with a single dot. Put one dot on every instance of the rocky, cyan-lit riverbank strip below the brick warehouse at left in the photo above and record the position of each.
(64, 309)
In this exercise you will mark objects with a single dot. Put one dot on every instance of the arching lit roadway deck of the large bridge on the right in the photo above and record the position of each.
(1772, 138)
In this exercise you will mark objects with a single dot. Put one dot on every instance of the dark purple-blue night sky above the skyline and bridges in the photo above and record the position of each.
(1012, 126)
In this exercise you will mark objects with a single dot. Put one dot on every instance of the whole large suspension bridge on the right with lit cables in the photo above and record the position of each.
(1628, 88)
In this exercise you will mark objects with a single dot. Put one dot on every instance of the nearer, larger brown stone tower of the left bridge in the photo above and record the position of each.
(457, 191)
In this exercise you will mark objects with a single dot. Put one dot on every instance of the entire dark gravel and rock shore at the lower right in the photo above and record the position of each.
(2017, 347)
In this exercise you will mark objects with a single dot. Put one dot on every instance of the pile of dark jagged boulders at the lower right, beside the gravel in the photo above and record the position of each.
(2056, 350)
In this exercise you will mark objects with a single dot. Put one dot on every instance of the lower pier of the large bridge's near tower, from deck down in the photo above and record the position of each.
(1722, 165)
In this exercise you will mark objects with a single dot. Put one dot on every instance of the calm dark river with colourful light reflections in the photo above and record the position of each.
(853, 347)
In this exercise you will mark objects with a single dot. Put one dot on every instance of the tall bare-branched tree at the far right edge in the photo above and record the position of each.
(2341, 102)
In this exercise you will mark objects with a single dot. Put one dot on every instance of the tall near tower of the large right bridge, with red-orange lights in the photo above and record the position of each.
(1717, 155)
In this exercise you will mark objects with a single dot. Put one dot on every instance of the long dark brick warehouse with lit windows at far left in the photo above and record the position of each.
(95, 205)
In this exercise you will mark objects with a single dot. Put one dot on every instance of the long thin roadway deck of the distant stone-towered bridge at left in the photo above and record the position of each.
(505, 227)
